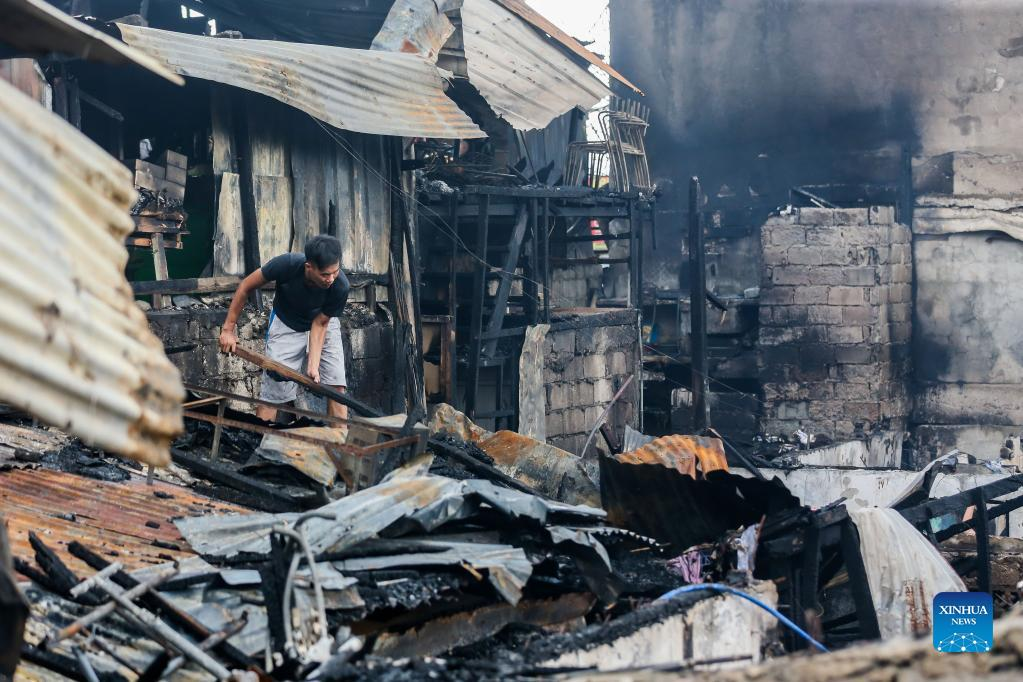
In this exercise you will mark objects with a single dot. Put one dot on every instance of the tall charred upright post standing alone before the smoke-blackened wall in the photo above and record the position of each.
(698, 313)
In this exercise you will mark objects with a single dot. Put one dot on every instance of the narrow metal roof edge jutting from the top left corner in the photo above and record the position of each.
(38, 28)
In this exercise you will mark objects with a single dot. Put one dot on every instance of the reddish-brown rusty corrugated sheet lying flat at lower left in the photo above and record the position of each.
(110, 518)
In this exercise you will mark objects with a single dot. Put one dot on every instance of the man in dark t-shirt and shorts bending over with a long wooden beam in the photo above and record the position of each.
(304, 333)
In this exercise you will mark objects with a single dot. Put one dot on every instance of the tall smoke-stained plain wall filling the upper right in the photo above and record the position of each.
(757, 97)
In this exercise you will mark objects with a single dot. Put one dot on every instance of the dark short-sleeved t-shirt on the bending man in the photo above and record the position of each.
(296, 302)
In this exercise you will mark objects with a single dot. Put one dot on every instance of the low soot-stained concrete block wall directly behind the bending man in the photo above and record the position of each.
(368, 352)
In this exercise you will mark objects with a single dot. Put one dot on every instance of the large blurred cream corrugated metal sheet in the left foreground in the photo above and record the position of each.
(75, 350)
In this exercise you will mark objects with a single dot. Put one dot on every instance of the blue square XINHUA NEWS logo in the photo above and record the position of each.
(964, 622)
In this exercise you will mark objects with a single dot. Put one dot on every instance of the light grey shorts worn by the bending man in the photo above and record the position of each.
(291, 348)
